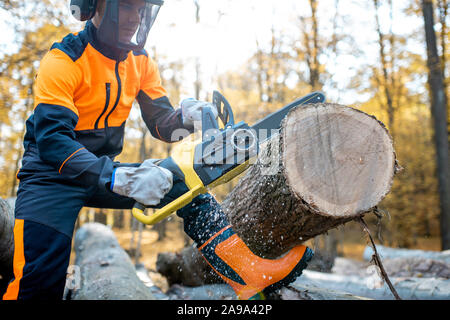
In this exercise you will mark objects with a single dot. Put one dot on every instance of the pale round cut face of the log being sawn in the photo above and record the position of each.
(337, 159)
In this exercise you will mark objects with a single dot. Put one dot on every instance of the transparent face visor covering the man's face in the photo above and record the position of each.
(136, 17)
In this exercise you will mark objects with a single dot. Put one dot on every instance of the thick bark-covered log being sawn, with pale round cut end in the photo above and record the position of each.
(329, 165)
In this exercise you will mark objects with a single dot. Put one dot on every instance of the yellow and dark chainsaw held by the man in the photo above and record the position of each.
(215, 158)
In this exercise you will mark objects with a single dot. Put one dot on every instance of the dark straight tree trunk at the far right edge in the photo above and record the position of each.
(439, 113)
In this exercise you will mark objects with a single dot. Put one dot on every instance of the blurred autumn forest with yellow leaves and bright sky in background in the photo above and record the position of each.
(263, 54)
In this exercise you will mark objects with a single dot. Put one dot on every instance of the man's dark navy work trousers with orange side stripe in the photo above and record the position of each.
(46, 210)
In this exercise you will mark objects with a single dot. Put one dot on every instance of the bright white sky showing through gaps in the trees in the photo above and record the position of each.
(226, 35)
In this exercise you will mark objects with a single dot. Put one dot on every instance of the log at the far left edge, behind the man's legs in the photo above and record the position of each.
(6, 243)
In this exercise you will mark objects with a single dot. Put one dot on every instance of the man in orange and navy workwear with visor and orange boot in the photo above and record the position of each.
(85, 88)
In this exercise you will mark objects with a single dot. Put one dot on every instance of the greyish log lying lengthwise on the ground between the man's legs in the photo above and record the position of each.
(105, 270)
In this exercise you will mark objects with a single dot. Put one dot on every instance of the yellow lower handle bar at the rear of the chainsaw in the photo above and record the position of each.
(167, 210)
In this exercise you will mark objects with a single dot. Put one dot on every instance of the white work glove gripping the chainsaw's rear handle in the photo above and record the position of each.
(147, 184)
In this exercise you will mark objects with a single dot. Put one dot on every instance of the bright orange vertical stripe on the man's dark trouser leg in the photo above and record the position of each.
(12, 292)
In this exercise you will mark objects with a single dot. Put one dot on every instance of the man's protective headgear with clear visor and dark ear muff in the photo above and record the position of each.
(109, 31)
